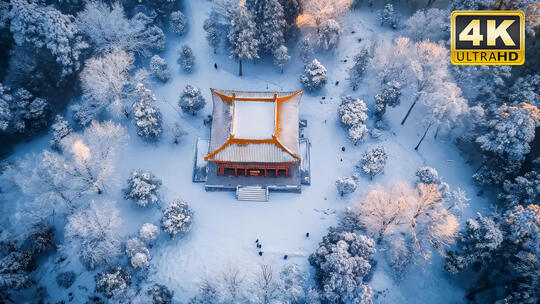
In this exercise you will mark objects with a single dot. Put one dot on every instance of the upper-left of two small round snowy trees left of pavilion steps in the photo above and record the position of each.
(143, 188)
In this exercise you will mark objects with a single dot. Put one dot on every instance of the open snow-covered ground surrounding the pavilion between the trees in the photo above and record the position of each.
(224, 230)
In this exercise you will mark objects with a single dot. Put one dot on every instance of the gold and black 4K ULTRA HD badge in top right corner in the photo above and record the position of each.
(487, 37)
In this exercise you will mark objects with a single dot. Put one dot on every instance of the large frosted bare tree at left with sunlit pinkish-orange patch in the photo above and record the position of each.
(53, 182)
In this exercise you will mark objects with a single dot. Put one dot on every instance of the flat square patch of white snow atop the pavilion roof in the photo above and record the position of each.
(253, 119)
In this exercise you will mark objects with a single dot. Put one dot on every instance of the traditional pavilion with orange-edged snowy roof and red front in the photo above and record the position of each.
(254, 133)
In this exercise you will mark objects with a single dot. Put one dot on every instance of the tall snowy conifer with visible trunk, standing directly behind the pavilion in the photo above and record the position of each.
(243, 44)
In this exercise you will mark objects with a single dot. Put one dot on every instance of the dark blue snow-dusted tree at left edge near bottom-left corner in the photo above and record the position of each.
(15, 269)
